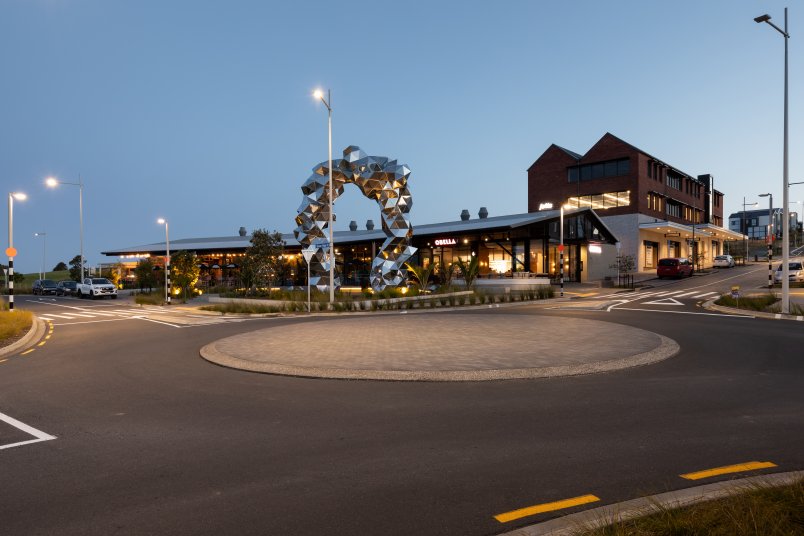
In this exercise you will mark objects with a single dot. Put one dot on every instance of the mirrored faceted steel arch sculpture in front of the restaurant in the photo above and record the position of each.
(378, 178)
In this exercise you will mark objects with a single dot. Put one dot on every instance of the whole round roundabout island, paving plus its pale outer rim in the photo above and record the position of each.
(441, 347)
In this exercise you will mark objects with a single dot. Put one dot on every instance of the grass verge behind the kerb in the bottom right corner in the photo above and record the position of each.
(756, 510)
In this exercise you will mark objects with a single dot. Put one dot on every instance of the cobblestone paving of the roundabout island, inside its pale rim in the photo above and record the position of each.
(440, 342)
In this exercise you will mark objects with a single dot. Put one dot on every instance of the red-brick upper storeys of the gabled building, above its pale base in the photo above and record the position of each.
(654, 188)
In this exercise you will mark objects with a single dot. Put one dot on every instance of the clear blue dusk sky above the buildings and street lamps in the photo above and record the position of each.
(201, 112)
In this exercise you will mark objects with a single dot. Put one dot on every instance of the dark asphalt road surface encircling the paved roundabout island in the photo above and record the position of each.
(151, 439)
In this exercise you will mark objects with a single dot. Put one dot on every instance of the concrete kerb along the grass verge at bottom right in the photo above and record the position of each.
(600, 517)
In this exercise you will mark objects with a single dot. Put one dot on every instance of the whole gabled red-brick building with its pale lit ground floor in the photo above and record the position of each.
(654, 209)
